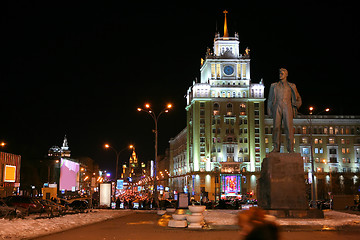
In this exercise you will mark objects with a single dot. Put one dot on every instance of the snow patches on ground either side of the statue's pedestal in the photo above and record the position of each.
(332, 219)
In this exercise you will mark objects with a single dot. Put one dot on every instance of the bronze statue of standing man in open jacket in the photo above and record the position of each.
(283, 102)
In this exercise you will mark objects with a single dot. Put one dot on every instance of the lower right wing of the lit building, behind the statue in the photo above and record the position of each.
(335, 141)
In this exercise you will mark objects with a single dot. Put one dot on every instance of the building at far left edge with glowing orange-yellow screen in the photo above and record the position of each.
(9, 173)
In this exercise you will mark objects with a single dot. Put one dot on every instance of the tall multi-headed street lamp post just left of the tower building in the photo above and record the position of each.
(155, 118)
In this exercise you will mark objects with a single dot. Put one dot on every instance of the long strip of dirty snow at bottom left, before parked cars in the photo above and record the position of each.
(31, 227)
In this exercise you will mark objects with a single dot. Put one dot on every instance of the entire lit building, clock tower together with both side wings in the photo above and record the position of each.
(219, 153)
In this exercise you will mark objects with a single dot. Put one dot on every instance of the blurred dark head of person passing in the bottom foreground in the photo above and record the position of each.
(256, 226)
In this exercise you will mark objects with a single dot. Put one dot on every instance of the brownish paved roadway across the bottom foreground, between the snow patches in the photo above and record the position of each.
(148, 226)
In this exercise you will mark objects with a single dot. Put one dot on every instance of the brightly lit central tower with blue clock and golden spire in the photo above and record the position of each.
(225, 119)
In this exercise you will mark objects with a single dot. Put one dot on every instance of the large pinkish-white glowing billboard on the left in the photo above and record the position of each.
(69, 175)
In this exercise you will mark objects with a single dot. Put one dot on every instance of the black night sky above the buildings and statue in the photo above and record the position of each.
(81, 68)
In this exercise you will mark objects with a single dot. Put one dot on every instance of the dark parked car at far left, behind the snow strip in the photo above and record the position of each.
(22, 203)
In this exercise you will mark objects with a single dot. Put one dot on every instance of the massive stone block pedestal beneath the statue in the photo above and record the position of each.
(281, 183)
